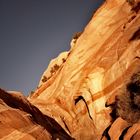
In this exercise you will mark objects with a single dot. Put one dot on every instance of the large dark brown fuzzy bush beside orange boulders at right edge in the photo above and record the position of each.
(127, 104)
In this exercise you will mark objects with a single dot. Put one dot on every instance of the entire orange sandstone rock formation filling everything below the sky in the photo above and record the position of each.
(82, 88)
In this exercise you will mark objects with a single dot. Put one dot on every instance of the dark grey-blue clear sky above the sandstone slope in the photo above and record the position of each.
(32, 32)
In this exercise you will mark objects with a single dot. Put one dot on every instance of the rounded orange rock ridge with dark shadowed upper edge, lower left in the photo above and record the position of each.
(19, 119)
